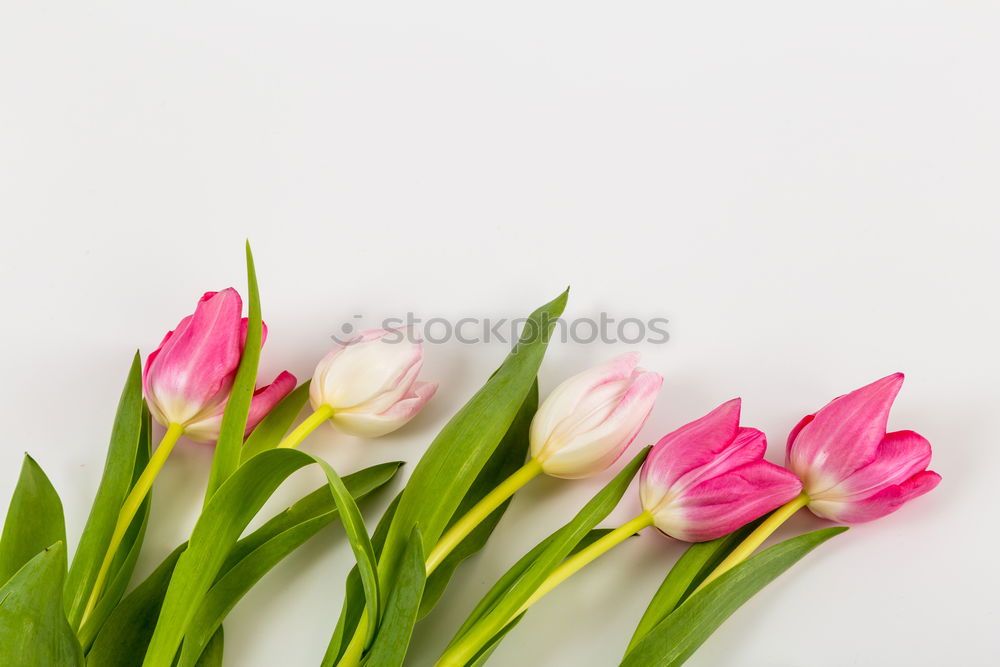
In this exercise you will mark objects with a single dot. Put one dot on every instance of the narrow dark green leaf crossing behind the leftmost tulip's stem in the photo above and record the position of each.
(127, 555)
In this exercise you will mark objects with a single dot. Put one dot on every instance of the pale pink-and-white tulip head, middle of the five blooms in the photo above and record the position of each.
(589, 420)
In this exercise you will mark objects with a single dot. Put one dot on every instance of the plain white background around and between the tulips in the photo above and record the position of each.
(808, 191)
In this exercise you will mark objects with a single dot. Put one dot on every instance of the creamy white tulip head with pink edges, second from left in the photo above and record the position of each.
(370, 383)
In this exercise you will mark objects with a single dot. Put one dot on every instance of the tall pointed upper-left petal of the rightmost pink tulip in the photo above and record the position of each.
(843, 436)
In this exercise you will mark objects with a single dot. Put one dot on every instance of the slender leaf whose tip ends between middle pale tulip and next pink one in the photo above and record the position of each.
(563, 541)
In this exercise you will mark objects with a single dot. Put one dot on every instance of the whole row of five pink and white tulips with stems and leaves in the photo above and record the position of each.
(706, 483)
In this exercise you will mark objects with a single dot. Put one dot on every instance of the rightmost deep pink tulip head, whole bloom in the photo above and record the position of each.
(851, 469)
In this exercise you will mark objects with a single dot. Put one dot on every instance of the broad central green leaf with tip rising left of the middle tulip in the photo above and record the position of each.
(454, 459)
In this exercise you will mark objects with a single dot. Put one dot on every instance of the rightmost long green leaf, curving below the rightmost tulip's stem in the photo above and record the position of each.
(672, 641)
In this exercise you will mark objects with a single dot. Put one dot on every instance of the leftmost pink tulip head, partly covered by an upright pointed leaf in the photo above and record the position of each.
(187, 379)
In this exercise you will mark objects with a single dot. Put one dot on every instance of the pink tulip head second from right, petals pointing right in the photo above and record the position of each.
(708, 478)
